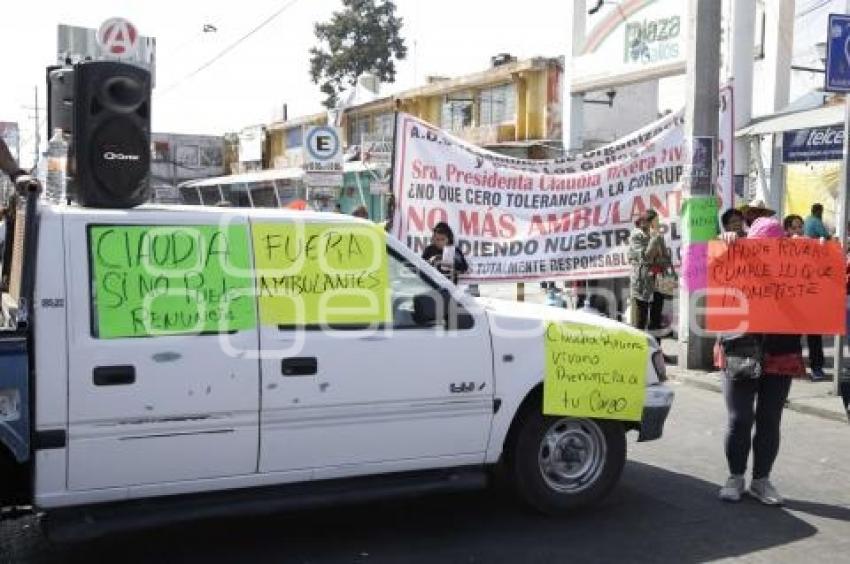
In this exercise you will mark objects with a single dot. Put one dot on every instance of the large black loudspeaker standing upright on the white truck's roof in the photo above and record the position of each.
(111, 140)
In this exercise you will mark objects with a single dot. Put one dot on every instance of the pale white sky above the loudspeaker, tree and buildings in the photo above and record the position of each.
(250, 84)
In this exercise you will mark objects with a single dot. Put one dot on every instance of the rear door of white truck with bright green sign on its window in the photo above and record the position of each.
(154, 396)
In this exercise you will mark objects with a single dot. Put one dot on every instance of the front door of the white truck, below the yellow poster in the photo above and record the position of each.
(358, 400)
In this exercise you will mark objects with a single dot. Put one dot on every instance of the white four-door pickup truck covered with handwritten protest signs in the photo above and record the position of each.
(271, 416)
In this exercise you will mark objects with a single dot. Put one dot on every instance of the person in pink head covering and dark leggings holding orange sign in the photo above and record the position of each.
(758, 370)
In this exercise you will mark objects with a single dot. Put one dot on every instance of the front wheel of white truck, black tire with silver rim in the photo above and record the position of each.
(561, 463)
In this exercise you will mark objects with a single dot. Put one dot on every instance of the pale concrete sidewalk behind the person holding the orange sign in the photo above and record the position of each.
(813, 398)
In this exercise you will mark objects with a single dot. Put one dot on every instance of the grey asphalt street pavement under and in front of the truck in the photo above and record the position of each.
(664, 510)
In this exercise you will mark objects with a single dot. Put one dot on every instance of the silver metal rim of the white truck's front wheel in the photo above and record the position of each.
(571, 455)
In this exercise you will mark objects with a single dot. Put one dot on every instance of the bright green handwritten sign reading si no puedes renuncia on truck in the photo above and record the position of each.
(170, 280)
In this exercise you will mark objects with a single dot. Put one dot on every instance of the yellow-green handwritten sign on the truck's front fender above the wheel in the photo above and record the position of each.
(594, 372)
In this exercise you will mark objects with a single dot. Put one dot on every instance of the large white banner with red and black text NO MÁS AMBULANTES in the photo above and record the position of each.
(520, 220)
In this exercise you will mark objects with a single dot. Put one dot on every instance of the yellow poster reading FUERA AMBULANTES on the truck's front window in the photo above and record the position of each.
(317, 274)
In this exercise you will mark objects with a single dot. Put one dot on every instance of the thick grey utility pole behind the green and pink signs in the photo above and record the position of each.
(702, 103)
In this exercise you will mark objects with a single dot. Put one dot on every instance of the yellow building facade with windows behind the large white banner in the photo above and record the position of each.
(513, 107)
